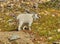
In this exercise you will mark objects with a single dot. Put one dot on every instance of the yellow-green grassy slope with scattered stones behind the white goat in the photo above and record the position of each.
(47, 26)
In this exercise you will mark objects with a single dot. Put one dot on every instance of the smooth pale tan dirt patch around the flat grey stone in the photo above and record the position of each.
(24, 38)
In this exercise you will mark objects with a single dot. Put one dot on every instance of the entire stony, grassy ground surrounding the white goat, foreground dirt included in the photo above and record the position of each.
(46, 30)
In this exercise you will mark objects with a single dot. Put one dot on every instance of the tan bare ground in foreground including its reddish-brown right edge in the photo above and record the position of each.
(24, 38)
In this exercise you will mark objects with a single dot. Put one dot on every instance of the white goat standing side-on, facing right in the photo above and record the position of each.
(26, 18)
